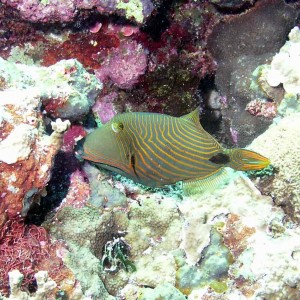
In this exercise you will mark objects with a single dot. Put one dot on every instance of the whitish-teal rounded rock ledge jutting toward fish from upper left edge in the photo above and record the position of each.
(66, 90)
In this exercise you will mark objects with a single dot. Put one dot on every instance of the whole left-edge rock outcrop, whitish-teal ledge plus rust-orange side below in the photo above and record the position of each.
(26, 151)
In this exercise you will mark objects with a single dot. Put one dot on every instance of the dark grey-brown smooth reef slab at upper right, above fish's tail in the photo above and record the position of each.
(239, 44)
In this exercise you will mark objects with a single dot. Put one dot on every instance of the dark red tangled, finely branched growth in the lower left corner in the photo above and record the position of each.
(22, 247)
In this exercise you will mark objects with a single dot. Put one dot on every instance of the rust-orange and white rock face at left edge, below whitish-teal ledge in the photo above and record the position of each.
(26, 153)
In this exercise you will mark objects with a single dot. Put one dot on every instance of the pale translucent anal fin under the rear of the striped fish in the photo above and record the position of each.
(209, 183)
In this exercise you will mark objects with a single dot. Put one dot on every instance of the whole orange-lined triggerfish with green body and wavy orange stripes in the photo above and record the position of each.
(157, 149)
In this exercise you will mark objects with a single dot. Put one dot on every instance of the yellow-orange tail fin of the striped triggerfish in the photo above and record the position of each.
(246, 160)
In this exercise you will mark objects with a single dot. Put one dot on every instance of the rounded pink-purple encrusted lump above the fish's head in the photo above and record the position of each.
(124, 66)
